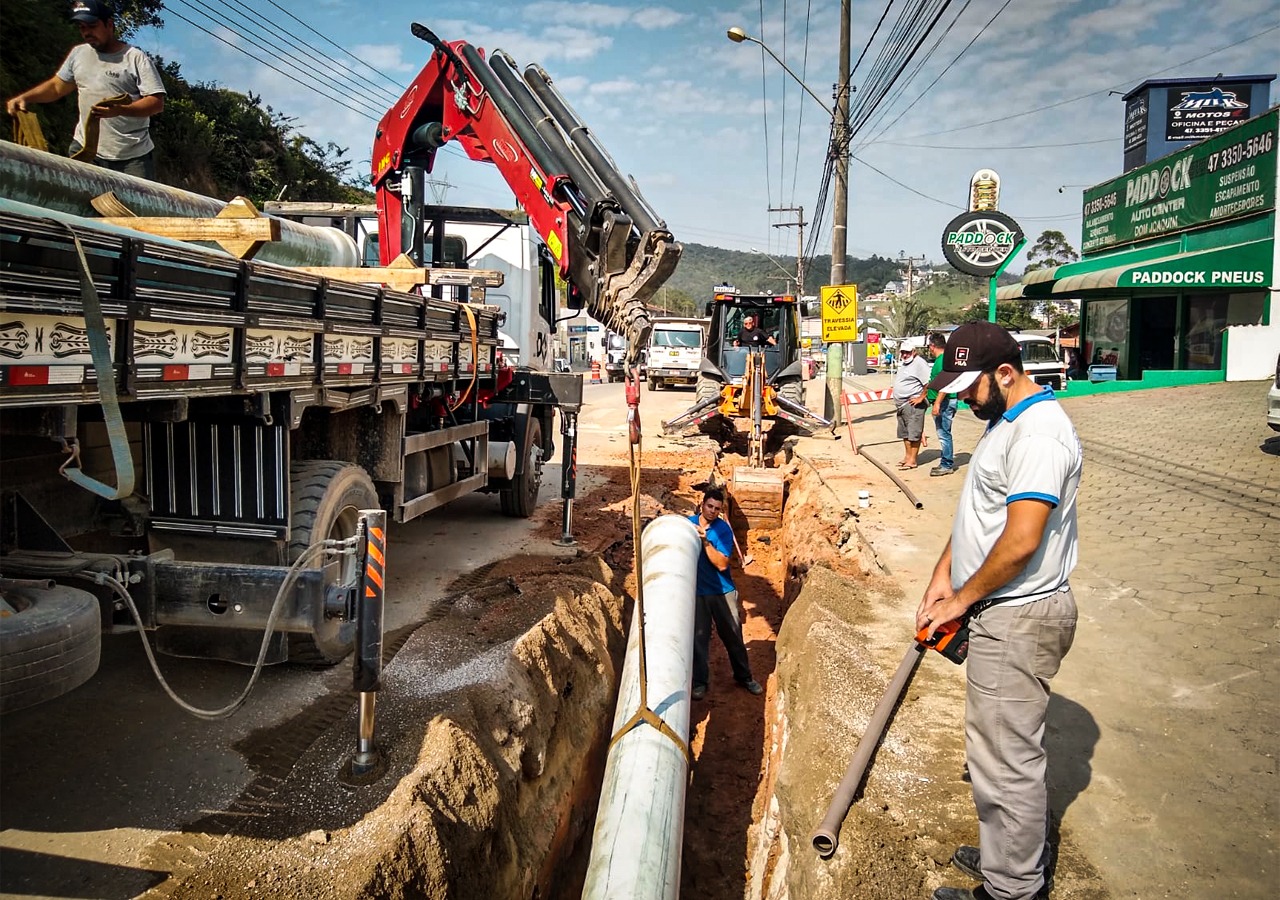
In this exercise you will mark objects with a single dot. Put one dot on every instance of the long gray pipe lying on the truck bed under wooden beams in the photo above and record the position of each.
(63, 185)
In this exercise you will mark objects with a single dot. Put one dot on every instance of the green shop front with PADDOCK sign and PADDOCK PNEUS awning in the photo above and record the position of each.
(1180, 264)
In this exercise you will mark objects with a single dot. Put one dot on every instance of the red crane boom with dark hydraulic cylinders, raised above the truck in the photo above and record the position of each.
(610, 246)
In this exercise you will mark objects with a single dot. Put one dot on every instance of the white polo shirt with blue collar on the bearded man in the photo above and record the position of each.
(1032, 453)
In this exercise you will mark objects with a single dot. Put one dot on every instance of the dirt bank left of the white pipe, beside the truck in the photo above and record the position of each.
(491, 719)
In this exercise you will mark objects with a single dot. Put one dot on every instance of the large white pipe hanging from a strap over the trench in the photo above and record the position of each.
(641, 824)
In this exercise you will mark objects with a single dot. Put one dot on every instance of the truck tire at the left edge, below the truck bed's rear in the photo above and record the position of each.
(49, 647)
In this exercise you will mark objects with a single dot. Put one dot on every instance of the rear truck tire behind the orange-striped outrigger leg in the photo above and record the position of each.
(326, 501)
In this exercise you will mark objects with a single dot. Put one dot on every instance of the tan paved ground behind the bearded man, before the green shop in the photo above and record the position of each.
(1165, 719)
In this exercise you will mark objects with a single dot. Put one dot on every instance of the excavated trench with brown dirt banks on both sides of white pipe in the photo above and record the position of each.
(495, 718)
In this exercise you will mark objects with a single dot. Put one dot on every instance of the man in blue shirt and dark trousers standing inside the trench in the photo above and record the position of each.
(717, 599)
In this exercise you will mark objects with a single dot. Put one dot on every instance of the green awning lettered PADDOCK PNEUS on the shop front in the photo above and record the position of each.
(1235, 267)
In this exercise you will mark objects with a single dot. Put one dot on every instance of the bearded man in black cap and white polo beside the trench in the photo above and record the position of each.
(1005, 569)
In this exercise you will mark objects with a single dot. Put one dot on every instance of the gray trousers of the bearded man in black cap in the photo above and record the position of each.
(1013, 655)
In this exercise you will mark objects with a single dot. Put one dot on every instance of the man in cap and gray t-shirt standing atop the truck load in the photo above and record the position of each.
(120, 92)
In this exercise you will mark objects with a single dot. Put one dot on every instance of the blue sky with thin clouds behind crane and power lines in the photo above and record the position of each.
(716, 134)
